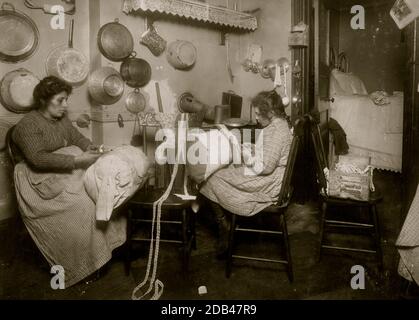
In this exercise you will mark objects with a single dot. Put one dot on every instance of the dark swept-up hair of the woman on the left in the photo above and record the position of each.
(47, 88)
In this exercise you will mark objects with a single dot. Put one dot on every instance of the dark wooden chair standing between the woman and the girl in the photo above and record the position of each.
(176, 213)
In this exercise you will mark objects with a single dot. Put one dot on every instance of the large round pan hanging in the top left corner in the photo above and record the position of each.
(19, 36)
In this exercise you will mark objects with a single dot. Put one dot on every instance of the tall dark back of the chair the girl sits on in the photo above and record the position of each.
(286, 187)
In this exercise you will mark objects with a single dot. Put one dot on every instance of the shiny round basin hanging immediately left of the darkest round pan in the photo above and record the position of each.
(106, 85)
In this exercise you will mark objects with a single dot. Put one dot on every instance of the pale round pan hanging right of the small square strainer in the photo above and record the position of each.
(181, 54)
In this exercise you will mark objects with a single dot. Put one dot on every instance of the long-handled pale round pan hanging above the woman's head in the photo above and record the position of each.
(67, 63)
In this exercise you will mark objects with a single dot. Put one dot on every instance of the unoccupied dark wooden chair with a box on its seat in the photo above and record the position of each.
(372, 227)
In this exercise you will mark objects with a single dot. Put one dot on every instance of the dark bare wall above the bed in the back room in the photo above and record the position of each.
(375, 54)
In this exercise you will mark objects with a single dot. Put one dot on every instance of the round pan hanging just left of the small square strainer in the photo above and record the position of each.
(115, 41)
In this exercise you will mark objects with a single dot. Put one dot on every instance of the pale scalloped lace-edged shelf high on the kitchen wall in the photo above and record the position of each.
(195, 10)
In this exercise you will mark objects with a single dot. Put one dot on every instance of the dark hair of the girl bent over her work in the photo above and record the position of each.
(270, 101)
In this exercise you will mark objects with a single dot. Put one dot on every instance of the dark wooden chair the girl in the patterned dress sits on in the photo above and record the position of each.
(278, 210)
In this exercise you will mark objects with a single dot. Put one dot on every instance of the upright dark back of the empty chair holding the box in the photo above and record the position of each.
(320, 155)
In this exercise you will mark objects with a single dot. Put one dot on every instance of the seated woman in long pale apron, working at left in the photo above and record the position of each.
(56, 210)
